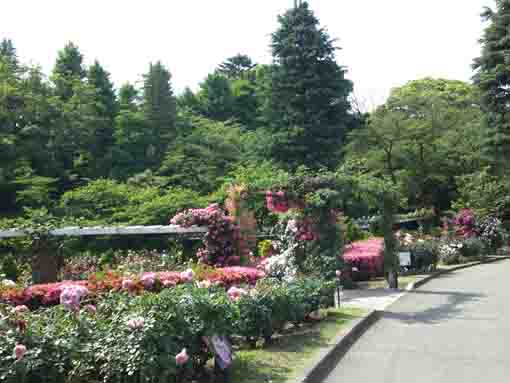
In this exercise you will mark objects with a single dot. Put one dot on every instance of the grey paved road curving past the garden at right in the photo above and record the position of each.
(454, 329)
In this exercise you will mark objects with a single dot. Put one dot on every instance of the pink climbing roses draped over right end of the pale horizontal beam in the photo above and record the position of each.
(218, 247)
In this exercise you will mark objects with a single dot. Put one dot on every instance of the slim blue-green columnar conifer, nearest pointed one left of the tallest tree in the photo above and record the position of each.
(159, 107)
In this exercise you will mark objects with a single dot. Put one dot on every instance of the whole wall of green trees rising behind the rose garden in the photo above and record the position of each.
(73, 143)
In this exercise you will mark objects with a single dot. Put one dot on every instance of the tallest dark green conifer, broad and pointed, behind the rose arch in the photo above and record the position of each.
(309, 101)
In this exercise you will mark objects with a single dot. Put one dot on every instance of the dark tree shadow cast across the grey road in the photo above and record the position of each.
(450, 304)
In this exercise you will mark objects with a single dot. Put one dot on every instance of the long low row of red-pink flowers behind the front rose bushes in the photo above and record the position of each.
(49, 294)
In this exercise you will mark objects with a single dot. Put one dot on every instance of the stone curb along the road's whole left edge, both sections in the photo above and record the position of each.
(324, 362)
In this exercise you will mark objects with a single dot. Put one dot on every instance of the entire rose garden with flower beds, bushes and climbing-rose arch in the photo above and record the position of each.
(108, 321)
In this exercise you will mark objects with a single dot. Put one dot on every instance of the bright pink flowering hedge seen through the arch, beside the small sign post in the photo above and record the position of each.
(366, 256)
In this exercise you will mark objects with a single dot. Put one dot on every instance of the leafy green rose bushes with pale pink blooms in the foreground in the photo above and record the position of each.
(149, 337)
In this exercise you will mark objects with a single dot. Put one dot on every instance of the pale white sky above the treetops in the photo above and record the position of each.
(385, 43)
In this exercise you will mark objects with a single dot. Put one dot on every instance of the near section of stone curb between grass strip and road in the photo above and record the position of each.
(326, 359)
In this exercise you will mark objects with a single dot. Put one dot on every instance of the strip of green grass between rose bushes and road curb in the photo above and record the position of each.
(289, 354)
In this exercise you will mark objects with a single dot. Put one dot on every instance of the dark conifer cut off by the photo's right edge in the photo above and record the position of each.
(493, 78)
